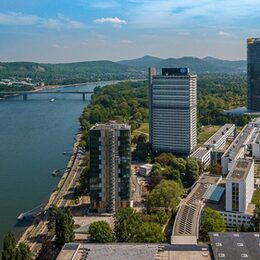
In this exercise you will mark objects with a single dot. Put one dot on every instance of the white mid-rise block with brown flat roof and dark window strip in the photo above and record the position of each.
(240, 186)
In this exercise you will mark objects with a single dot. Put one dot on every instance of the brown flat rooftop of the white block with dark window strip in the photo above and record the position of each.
(240, 169)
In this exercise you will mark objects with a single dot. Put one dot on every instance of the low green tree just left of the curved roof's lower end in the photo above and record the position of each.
(150, 233)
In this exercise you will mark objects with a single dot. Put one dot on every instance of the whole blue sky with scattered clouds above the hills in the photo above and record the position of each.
(54, 31)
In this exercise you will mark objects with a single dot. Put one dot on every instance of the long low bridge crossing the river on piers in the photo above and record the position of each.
(26, 93)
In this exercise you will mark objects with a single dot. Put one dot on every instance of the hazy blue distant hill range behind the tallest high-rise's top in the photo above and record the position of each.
(200, 66)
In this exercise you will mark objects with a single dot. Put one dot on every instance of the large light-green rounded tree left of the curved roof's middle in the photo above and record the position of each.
(165, 195)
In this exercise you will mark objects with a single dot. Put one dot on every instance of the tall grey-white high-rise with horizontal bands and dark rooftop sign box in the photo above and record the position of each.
(173, 110)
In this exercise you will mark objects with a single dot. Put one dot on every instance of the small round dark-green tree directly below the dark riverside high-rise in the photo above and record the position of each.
(100, 232)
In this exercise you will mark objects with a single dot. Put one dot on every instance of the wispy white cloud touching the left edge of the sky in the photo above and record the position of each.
(13, 18)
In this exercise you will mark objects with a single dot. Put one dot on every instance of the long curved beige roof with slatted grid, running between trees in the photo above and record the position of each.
(186, 226)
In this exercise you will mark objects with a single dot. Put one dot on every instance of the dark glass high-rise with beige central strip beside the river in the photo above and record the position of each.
(110, 167)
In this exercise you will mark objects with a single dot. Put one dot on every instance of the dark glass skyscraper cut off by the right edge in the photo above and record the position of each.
(253, 74)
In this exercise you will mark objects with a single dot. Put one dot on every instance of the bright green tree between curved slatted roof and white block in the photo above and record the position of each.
(211, 221)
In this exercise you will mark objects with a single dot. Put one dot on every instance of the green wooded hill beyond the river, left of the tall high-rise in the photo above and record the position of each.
(68, 73)
